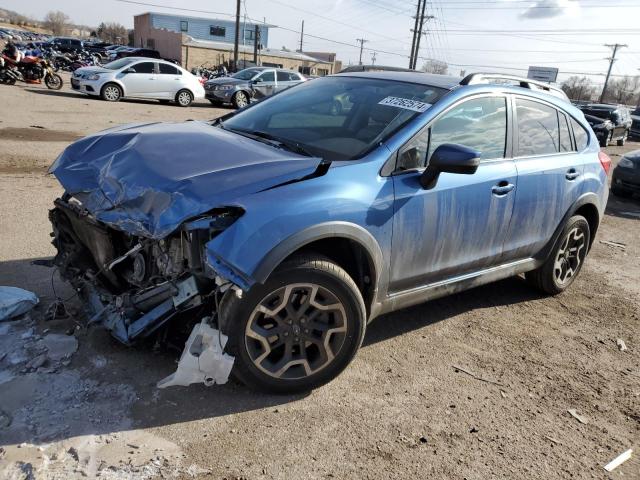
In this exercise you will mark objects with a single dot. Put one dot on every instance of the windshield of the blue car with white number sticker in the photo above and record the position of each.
(337, 118)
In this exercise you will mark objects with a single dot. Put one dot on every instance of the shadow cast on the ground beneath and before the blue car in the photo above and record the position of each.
(137, 369)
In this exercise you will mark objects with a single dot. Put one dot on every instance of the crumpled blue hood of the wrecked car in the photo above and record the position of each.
(148, 179)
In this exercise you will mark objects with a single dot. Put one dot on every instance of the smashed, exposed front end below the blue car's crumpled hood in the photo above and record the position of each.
(135, 285)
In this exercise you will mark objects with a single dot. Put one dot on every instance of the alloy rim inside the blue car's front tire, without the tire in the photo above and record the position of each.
(296, 331)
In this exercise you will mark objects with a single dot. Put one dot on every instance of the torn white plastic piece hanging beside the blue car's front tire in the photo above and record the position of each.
(202, 359)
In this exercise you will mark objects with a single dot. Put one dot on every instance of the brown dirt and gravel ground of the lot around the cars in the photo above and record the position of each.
(401, 410)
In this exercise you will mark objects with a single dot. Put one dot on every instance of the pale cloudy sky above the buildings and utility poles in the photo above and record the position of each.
(470, 35)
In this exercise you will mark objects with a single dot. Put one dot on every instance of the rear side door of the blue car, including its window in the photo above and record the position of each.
(549, 174)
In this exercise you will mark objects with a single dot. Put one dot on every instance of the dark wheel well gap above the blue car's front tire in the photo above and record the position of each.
(352, 257)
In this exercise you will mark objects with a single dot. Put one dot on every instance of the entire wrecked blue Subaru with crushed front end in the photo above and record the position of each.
(289, 225)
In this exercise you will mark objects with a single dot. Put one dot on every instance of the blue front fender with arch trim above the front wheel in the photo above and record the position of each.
(276, 223)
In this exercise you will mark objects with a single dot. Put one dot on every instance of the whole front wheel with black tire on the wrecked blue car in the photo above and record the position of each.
(298, 330)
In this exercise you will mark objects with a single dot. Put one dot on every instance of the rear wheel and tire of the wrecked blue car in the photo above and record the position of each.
(566, 259)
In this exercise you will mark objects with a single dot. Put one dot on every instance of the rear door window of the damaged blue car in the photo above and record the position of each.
(538, 132)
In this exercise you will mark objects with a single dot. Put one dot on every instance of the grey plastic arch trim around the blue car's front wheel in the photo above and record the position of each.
(338, 229)
